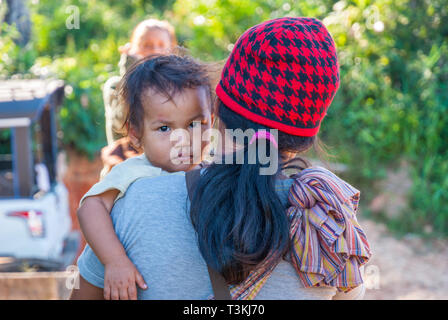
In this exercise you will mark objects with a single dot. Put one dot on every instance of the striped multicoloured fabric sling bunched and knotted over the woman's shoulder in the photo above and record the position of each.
(328, 244)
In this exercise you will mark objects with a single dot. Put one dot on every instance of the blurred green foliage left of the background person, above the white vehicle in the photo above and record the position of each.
(83, 57)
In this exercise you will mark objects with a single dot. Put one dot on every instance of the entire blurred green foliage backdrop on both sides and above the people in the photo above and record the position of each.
(388, 123)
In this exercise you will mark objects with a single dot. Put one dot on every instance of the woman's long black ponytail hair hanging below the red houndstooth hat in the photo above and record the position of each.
(236, 212)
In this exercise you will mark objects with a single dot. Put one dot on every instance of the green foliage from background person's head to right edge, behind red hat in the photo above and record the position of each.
(393, 99)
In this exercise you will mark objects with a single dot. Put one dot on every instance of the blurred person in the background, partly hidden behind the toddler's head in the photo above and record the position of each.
(150, 36)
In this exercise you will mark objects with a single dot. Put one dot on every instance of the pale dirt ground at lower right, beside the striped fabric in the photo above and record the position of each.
(403, 269)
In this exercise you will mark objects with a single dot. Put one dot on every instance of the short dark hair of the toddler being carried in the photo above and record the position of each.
(165, 74)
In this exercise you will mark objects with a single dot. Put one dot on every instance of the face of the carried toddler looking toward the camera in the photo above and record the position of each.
(187, 109)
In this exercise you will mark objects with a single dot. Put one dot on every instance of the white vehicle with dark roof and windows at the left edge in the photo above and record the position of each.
(35, 223)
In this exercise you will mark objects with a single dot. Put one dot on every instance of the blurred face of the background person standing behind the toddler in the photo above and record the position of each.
(149, 41)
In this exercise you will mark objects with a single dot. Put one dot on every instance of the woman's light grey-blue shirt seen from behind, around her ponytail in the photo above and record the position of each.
(153, 223)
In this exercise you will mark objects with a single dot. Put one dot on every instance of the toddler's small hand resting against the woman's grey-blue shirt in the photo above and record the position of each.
(120, 277)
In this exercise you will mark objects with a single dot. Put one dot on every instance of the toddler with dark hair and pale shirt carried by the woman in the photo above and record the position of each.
(161, 94)
